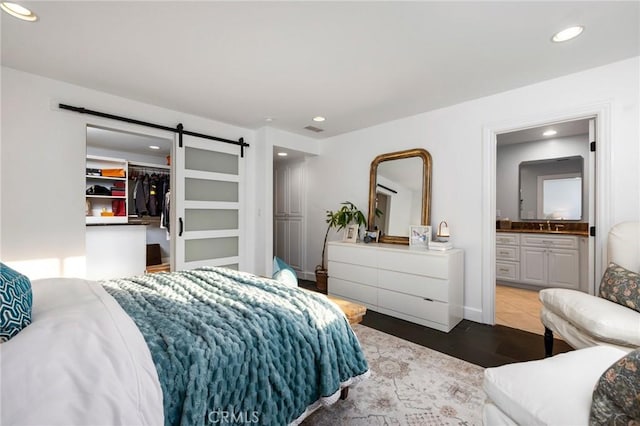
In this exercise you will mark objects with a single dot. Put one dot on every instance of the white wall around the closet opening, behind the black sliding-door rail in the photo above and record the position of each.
(43, 159)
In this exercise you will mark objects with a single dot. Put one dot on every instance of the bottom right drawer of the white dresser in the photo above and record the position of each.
(414, 306)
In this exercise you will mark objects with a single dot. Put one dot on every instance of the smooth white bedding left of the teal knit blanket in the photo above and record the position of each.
(81, 362)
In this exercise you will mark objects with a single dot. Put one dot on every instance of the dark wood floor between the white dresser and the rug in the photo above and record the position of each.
(480, 344)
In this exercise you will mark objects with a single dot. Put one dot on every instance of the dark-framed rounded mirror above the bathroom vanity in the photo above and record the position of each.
(552, 189)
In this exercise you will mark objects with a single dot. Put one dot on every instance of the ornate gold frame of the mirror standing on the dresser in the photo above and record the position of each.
(426, 189)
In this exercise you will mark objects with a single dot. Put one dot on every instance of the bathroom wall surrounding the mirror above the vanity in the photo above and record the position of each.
(510, 156)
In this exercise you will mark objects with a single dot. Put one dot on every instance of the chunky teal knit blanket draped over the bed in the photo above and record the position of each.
(233, 348)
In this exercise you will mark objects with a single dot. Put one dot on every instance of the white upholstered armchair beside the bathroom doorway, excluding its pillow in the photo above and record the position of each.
(583, 320)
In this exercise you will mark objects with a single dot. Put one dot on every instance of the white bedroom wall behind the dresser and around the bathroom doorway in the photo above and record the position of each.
(454, 137)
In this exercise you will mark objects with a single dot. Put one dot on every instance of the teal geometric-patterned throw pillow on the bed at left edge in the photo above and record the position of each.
(15, 302)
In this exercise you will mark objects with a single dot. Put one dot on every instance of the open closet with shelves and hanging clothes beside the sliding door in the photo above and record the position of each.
(127, 186)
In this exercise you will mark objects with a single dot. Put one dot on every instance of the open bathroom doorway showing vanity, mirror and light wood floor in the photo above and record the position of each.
(525, 158)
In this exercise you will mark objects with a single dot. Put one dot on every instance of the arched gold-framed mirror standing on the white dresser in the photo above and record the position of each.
(400, 189)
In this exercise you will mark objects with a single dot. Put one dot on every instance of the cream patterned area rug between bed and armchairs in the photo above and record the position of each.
(409, 385)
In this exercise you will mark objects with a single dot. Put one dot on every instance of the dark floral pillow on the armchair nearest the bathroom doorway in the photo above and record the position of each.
(621, 286)
